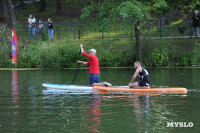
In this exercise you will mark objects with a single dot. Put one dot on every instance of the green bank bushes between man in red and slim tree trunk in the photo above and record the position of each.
(113, 55)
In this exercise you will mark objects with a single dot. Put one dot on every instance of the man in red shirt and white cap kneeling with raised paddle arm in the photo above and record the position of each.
(94, 78)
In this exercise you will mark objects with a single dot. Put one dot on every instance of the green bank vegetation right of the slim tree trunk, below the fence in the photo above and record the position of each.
(172, 53)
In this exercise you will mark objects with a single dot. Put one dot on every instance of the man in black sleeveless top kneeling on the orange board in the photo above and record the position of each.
(142, 74)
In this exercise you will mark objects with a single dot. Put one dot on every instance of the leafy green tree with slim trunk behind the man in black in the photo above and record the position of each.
(112, 12)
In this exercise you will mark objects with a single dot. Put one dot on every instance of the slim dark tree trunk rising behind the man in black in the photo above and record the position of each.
(137, 37)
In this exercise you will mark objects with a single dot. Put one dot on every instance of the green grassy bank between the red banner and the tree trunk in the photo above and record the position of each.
(64, 53)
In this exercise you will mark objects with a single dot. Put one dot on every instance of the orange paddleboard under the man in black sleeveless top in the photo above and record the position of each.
(127, 89)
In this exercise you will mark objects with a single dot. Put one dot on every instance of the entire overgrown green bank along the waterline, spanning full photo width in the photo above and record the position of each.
(63, 52)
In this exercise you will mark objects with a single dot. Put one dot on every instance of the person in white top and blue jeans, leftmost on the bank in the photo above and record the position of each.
(31, 25)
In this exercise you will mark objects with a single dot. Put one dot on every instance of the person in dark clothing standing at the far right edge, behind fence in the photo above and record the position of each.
(196, 23)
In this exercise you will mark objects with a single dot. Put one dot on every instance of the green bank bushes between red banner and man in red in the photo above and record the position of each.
(49, 56)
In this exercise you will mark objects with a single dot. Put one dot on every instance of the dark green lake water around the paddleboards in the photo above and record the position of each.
(24, 108)
